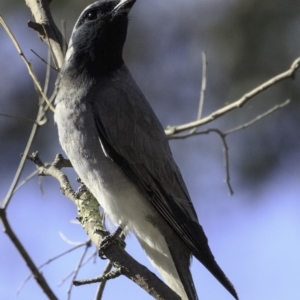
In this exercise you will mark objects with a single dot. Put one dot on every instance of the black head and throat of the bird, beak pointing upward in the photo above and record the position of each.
(98, 37)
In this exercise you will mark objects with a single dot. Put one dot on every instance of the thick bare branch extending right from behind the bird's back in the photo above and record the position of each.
(290, 73)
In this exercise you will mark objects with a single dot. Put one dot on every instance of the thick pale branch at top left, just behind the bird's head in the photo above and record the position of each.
(47, 29)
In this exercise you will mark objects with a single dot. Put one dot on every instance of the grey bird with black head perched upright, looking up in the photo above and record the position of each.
(119, 149)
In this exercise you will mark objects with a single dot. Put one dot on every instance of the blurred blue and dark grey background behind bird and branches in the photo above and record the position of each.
(254, 234)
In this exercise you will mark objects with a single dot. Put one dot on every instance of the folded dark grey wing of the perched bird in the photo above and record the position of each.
(134, 139)
